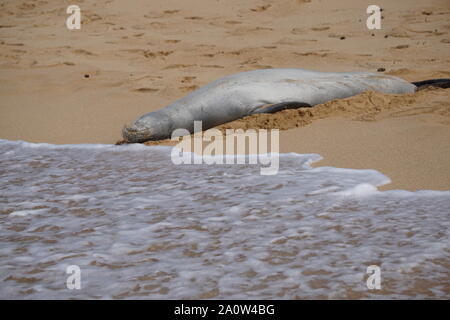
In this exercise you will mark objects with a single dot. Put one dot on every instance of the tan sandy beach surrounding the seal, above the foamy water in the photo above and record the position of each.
(141, 56)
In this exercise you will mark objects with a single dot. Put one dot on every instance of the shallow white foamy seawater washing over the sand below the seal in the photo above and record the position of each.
(140, 227)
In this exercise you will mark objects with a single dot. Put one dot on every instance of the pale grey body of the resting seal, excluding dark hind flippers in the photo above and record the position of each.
(260, 91)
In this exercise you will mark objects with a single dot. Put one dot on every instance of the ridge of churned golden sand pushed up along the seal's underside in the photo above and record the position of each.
(366, 106)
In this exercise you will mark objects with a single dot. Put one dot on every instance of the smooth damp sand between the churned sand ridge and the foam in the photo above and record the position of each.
(384, 145)
